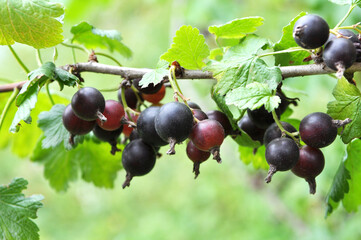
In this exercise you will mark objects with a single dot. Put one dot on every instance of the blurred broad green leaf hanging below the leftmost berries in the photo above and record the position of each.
(94, 160)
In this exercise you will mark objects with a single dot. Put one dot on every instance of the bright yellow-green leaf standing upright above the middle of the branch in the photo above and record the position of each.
(188, 48)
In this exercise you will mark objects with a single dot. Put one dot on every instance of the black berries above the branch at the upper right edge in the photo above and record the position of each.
(342, 47)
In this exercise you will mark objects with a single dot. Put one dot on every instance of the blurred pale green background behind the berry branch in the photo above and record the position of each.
(227, 201)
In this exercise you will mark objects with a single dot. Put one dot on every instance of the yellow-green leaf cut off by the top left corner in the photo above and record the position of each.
(35, 23)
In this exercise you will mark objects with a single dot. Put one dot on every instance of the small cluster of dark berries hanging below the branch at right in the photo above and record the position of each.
(283, 149)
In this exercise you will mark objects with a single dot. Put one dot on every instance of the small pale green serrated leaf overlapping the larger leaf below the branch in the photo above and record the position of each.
(253, 96)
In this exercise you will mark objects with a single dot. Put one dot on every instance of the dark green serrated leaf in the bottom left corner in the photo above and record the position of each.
(16, 211)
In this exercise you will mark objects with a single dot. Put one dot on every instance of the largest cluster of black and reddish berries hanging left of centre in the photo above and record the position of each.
(147, 130)
